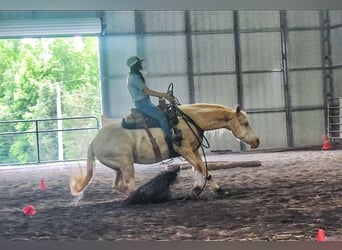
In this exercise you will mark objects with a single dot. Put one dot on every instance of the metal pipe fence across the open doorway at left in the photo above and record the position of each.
(46, 140)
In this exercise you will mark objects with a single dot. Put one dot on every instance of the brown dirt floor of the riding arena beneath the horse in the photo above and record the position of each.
(289, 197)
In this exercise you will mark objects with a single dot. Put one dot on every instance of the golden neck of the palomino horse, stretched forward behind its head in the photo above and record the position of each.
(209, 116)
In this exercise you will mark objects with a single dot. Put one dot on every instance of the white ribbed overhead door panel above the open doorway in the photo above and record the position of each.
(50, 27)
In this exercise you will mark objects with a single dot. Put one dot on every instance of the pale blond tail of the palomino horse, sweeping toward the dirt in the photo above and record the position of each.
(79, 183)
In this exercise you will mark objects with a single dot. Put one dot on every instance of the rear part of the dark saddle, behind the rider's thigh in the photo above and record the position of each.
(137, 119)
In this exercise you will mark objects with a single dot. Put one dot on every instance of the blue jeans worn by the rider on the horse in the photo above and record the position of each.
(147, 107)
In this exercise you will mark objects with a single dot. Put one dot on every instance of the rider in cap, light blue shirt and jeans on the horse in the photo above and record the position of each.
(140, 94)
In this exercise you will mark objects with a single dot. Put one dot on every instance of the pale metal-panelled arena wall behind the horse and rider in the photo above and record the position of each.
(162, 38)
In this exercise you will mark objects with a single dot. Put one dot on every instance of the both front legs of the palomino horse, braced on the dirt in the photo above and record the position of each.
(202, 174)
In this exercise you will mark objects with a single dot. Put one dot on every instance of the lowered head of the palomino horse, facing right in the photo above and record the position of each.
(242, 130)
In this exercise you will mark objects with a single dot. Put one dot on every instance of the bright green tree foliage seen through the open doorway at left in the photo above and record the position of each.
(29, 72)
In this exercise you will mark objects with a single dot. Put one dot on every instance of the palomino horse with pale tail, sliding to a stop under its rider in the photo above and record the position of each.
(119, 148)
